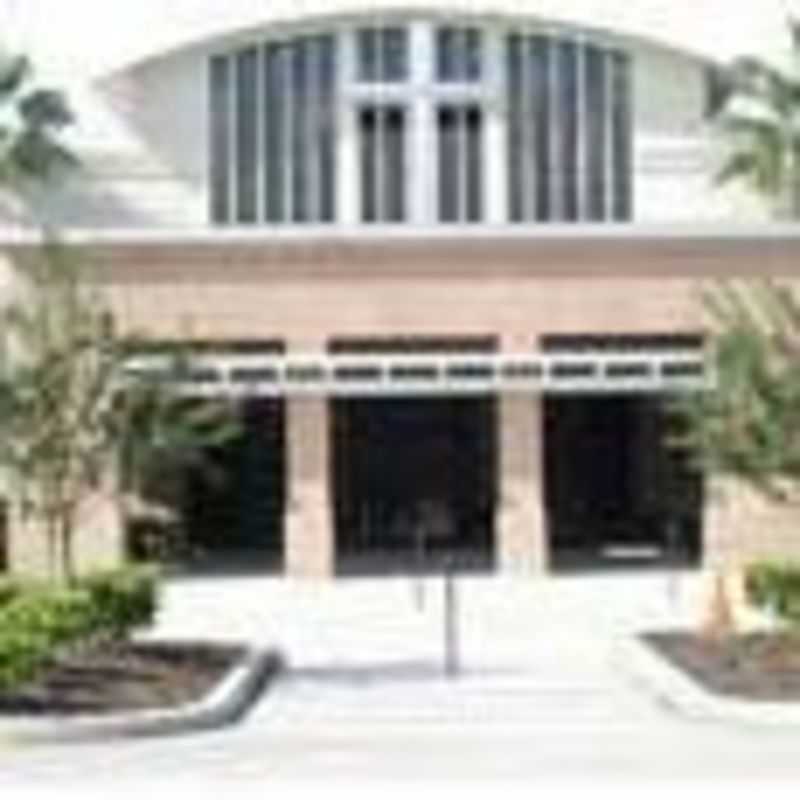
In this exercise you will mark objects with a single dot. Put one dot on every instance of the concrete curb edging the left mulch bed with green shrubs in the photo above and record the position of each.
(224, 705)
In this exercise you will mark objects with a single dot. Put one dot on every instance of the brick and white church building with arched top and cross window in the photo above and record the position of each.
(446, 257)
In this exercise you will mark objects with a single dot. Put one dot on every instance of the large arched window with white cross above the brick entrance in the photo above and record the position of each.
(421, 123)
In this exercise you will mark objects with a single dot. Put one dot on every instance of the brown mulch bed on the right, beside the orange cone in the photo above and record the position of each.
(755, 666)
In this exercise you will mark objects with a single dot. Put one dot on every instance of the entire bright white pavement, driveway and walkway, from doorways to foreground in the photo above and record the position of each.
(541, 692)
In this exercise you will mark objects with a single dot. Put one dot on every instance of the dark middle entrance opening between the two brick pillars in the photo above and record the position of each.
(414, 483)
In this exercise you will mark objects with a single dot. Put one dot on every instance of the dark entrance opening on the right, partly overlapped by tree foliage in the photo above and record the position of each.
(616, 493)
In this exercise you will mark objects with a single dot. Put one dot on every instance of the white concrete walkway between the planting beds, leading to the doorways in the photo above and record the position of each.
(362, 653)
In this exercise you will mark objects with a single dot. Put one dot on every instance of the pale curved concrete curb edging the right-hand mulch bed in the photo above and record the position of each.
(682, 694)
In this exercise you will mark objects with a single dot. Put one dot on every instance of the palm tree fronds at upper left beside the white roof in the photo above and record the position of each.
(31, 120)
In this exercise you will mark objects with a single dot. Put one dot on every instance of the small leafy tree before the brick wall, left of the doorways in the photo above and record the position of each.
(72, 412)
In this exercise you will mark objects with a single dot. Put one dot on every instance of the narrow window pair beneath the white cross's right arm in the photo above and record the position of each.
(460, 134)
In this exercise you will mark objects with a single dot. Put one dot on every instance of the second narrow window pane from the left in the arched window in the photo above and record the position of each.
(247, 135)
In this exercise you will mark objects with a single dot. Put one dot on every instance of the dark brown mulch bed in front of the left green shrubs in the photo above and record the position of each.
(123, 677)
